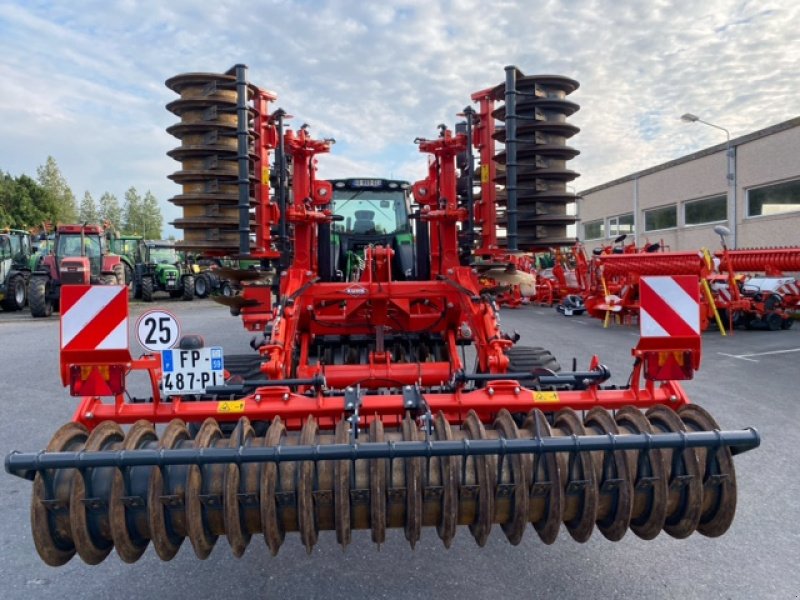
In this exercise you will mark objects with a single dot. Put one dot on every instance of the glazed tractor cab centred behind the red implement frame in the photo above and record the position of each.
(370, 212)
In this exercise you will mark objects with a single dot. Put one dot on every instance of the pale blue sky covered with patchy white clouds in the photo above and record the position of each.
(84, 81)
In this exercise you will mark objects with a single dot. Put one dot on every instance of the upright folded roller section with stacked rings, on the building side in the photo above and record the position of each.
(533, 167)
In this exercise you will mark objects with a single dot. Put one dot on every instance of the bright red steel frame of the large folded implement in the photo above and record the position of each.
(448, 305)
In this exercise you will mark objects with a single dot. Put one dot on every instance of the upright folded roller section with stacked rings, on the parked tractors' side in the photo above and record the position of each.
(215, 200)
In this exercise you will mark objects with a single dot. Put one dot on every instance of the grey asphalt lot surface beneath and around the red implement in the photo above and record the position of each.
(748, 379)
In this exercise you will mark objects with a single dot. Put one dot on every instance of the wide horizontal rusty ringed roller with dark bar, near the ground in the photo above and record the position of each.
(164, 489)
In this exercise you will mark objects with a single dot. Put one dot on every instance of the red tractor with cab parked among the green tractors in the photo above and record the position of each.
(80, 255)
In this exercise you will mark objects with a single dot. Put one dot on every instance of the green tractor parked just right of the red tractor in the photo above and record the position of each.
(158, 268)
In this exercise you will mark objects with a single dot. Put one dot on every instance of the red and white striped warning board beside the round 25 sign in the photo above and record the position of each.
(94, 317)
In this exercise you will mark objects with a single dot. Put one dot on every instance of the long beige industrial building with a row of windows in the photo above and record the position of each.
(750, 184)
